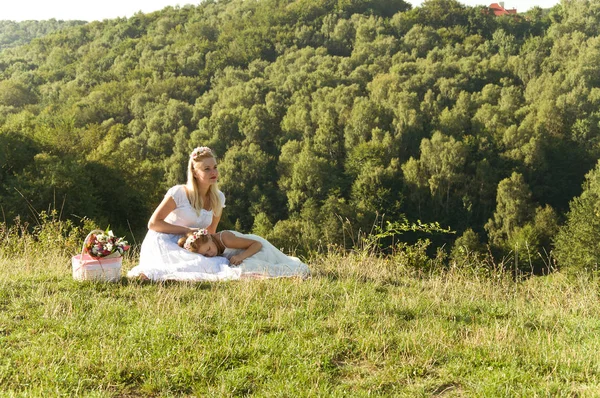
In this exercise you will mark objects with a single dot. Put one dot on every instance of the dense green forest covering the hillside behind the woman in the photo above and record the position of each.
(327, 117)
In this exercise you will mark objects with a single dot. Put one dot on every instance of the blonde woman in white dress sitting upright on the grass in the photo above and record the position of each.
(185, 208)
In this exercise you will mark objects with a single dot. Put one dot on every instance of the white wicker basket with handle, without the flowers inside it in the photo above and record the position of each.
(86, 267)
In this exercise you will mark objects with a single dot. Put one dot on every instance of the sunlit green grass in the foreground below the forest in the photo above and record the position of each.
(359, 327)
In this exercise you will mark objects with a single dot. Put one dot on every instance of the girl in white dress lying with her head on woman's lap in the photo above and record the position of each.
(255, 256)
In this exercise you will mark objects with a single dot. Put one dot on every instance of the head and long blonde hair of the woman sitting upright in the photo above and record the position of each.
(202, 173)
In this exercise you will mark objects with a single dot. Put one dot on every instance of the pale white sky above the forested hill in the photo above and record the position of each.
(21, 10)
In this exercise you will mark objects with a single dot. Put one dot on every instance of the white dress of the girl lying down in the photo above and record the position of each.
(269, 262)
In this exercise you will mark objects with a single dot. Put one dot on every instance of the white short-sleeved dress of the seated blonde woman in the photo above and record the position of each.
(162, 259)
